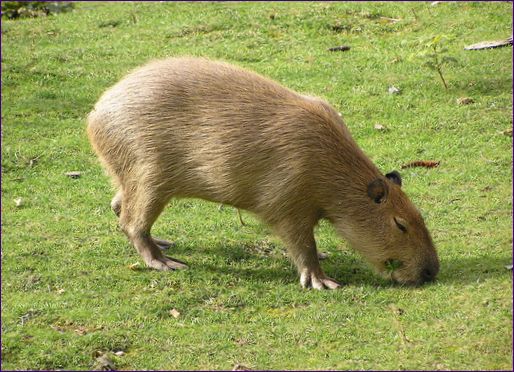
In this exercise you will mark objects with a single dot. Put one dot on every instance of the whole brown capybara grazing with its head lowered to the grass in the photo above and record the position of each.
(192, 127)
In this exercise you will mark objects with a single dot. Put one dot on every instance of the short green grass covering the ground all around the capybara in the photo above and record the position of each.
(67, 291)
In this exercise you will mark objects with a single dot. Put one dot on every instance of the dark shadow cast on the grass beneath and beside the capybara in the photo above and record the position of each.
(347, 269)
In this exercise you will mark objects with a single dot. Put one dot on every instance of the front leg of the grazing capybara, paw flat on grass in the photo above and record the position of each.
(301, 247)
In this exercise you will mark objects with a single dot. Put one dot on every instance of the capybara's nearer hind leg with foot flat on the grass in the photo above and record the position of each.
(140, 210)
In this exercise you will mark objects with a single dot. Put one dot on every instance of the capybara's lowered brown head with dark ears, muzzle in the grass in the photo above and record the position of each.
(391, 234)
